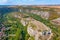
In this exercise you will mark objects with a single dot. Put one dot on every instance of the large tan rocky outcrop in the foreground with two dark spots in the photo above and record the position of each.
(38, 29)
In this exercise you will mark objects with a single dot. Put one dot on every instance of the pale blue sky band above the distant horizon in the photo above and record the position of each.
(29, 2)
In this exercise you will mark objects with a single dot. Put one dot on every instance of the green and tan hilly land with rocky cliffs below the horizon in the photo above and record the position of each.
(30, 23)
